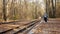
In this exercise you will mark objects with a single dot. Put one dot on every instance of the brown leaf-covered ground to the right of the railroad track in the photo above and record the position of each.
(50, 27)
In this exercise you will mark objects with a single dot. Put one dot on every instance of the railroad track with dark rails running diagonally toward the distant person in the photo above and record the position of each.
(18, 29)
